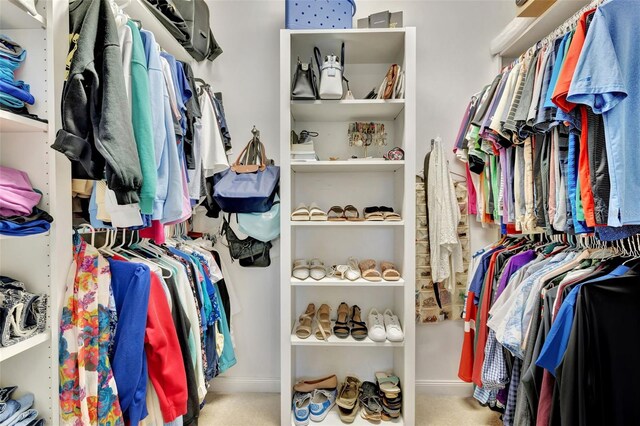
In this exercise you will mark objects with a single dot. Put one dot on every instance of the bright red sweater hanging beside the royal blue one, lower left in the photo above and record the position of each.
(164, 358)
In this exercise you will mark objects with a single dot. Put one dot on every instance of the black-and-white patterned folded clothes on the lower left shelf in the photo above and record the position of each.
(22, 314)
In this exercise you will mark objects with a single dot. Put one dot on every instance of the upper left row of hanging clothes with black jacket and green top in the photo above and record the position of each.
(136, 116)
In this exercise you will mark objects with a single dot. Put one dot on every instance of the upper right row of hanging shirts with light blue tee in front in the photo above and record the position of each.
(550, 144)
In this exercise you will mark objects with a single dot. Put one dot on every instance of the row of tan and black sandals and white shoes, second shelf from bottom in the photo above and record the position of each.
(348, 322)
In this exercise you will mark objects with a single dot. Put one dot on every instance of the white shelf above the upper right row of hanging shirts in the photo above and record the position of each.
(542, 26)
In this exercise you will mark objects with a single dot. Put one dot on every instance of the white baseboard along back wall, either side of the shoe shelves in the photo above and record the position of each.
(272, 385)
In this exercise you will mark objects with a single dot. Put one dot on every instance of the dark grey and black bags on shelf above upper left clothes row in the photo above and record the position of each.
(188, 22)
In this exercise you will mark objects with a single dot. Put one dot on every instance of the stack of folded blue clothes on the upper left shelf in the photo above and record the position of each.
(13, 93)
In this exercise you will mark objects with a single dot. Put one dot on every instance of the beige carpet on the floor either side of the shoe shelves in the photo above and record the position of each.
(262, 409)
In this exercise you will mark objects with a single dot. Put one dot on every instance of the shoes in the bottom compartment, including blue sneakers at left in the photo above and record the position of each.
(314, 399)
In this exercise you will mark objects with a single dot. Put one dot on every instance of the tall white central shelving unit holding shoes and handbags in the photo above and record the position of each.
(362, 183)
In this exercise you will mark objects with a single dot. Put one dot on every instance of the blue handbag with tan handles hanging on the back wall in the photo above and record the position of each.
(249, 185)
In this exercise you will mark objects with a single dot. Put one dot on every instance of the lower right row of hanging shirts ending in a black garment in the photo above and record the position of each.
(546, 333)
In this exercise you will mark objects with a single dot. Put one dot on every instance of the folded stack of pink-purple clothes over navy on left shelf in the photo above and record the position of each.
(19, 215)
